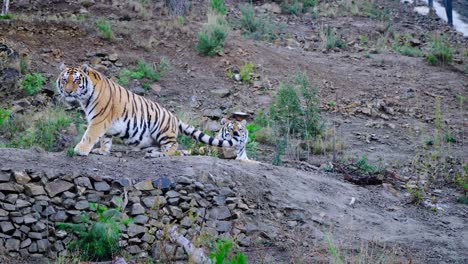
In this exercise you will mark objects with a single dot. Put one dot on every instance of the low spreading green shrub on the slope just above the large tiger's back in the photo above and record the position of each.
(144, 70)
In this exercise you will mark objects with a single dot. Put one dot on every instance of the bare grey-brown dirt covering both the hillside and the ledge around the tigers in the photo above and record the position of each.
(51, 32)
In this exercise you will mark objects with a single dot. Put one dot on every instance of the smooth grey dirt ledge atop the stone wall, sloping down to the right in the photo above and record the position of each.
(318, 201)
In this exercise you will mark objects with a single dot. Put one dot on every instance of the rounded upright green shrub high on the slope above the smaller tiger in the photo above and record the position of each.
(212, 36)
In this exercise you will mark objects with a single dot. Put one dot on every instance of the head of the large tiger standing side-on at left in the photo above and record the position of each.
(74, 83)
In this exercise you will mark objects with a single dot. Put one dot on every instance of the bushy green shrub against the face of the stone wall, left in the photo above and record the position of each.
(99, 238)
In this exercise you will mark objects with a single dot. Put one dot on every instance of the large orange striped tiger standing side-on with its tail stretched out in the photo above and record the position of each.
(112, 110)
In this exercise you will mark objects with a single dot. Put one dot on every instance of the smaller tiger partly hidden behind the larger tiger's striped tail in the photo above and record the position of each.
(228, 131)
